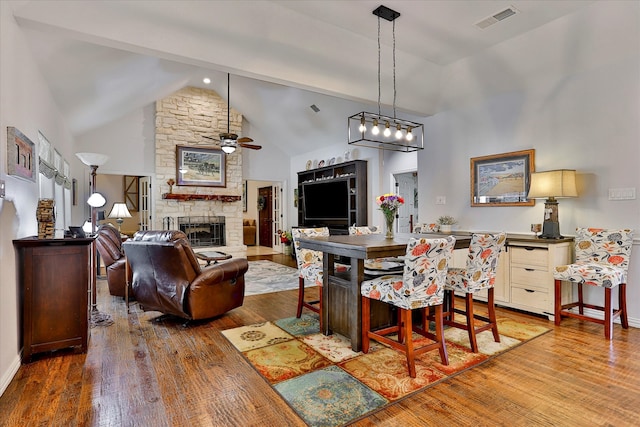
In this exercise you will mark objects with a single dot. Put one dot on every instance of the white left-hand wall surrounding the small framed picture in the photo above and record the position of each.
(26, 104)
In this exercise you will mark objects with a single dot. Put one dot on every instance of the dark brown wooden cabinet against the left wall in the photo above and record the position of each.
(54, 288)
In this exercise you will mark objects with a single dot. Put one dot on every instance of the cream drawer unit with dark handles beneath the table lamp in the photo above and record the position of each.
(531, 271)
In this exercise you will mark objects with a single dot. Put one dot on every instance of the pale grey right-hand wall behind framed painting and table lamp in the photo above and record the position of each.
(517, 96)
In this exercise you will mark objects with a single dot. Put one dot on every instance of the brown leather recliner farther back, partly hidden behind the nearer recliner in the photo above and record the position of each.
(109, 245)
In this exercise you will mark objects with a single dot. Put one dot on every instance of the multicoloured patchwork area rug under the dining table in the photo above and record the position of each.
(328, 384)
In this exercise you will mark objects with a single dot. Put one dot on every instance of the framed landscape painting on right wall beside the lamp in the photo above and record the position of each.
(502, 179)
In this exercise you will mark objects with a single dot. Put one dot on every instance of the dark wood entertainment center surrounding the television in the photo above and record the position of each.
(333, 196)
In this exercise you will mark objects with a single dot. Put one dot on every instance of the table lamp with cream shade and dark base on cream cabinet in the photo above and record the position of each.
(550, 185)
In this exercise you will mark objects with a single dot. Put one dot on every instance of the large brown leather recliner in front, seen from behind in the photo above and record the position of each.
(167, 277)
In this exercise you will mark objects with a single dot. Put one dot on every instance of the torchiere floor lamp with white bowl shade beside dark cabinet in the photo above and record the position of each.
(95, 160)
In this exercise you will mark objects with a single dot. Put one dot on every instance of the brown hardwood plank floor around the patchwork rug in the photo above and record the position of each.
(146, 372)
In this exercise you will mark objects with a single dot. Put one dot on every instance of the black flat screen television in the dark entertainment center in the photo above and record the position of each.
(326, 202)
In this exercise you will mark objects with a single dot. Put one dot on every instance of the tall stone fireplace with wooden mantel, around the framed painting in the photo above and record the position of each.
(211, 215)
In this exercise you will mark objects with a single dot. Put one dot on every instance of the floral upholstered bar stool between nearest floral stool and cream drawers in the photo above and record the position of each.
(479, 274)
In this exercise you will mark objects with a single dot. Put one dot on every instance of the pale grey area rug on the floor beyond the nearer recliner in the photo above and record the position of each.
(266, 276)
